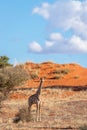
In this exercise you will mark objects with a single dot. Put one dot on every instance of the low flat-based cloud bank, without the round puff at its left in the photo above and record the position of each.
(73, 45)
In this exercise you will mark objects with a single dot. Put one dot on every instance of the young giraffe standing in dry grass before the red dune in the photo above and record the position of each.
(34, 99)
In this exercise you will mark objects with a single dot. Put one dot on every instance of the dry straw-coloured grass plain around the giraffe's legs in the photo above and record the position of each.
(59, 108)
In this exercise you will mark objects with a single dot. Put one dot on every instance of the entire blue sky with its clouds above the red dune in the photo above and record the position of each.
(44, 30)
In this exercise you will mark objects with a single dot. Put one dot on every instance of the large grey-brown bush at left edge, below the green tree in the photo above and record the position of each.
(10, 77)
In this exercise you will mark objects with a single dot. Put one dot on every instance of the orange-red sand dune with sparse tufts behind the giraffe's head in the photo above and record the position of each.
(56, 74)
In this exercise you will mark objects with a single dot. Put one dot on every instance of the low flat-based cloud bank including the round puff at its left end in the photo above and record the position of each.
(56, 45)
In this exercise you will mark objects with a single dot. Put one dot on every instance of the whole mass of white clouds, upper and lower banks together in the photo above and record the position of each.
(65, 16)
